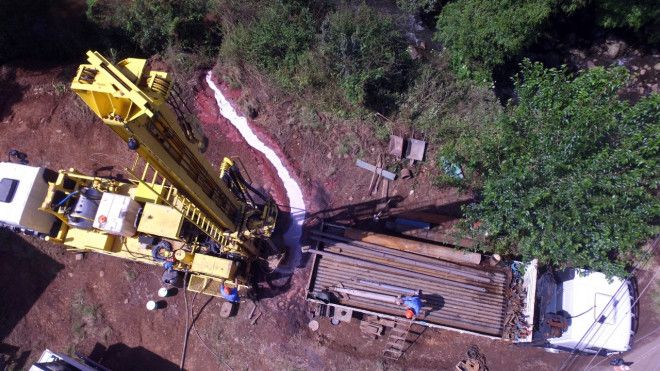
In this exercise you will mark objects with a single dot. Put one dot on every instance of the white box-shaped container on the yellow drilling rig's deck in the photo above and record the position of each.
(117, 214)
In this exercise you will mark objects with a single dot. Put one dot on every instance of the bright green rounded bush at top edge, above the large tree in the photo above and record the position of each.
(483, 34)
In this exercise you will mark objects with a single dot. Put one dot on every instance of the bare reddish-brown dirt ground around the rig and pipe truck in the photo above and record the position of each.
(50, 300)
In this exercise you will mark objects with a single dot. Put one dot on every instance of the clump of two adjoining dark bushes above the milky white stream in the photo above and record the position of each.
(354, 49)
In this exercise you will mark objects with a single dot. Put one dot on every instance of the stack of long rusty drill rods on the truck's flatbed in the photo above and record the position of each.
(368, 276)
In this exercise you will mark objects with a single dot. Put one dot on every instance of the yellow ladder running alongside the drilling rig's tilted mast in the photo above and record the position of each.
(170, 195)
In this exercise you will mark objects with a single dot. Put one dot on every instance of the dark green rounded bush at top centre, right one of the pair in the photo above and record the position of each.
(366, 55)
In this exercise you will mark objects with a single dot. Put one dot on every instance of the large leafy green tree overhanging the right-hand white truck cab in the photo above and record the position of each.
(571, 171)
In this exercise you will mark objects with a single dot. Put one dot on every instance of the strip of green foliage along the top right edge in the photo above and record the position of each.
(482, 35)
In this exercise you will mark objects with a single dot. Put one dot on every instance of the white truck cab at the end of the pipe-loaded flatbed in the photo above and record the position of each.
(584, 311)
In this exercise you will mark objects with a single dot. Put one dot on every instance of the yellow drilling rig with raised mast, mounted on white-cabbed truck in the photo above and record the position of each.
(174, 209)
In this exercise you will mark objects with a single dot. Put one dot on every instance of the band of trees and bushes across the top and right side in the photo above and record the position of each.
(565, 173)
